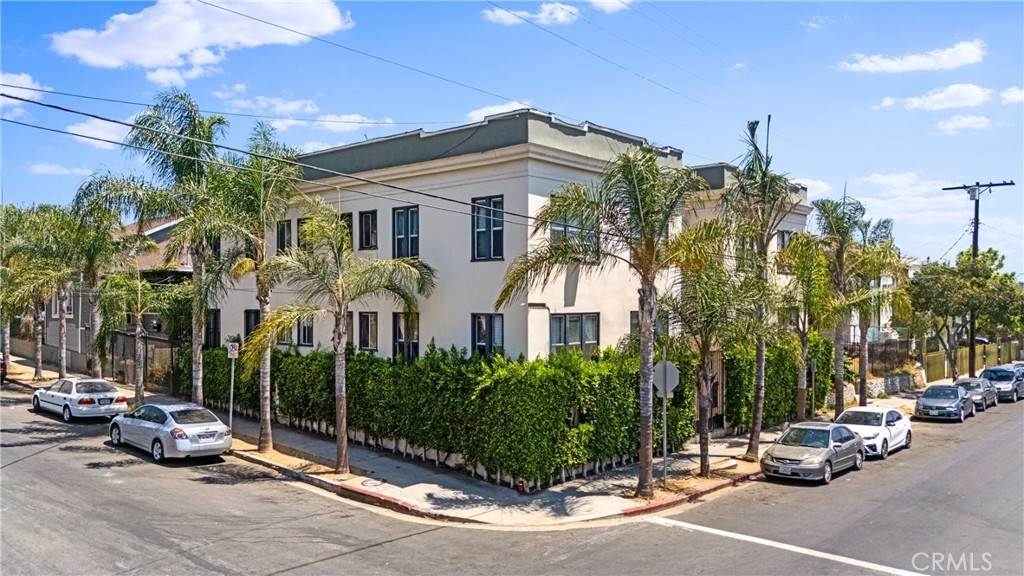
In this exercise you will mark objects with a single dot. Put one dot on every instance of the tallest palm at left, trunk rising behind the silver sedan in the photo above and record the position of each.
(178, 142)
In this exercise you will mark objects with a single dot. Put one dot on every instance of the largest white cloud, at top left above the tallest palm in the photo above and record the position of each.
(176, 42)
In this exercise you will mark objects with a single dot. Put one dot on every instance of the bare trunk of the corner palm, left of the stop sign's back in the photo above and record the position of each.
(646, 482)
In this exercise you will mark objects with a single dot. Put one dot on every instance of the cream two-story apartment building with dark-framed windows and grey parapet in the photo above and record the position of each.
(505, 167)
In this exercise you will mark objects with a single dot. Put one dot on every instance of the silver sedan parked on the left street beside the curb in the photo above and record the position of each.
(173, 431)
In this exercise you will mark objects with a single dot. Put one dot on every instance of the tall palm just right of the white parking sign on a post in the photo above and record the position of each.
(262, 192)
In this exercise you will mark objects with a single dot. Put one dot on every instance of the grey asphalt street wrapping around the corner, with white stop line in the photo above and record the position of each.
(72, 504)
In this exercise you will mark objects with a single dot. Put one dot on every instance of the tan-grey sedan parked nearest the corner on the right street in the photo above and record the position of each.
(814, 451)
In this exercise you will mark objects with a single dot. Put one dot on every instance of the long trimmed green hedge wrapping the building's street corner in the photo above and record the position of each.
(528, 420)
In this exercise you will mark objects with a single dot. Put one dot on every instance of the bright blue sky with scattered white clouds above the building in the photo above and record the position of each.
(893, 101)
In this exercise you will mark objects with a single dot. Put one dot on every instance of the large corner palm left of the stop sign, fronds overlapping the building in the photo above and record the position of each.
(625, 220)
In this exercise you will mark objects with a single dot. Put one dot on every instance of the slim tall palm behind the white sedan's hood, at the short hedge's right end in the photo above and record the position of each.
(839, 224)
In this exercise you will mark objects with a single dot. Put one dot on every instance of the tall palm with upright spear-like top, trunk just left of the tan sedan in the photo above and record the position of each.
(758, 202)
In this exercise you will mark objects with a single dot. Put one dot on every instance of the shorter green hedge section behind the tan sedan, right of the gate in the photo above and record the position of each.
(782, 365)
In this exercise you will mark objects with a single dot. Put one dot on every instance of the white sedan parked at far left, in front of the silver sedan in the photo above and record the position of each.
(80, 398)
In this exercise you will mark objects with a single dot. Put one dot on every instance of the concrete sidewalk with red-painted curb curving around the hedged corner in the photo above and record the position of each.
(421, 489)
